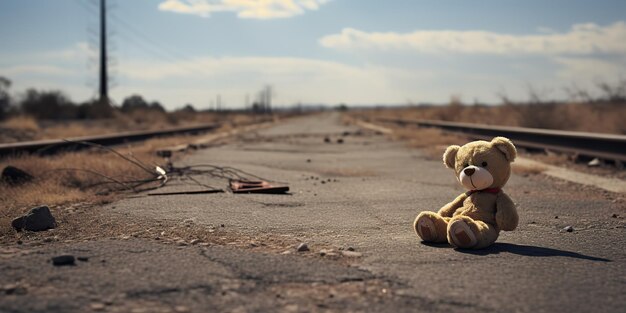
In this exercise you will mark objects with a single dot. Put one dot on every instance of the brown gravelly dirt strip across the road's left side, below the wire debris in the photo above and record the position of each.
(88, 221)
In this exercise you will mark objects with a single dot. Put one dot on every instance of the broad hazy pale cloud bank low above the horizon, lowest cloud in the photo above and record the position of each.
(294, 79)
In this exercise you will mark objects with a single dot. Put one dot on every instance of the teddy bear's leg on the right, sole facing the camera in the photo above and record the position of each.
(464, 232)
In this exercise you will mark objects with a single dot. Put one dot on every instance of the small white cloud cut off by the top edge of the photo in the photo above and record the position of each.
(255, 9)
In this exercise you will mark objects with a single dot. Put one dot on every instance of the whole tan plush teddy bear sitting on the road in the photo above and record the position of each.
(475, 218)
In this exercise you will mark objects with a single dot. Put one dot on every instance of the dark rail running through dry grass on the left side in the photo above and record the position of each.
(48, 147)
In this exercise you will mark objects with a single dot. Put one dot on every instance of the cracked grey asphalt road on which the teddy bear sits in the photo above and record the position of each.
(373, 189)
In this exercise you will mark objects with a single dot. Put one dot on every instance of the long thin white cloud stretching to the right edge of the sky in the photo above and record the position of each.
(581, 39)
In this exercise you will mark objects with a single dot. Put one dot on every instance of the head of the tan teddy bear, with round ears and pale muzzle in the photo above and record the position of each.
(481, 164)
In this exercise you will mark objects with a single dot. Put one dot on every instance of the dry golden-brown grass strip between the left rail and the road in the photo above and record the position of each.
(61, 179)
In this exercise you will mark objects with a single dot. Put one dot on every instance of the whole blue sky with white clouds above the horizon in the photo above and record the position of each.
(362, 52)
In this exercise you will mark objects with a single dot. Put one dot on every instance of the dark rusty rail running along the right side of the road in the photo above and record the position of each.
(604, 146)
